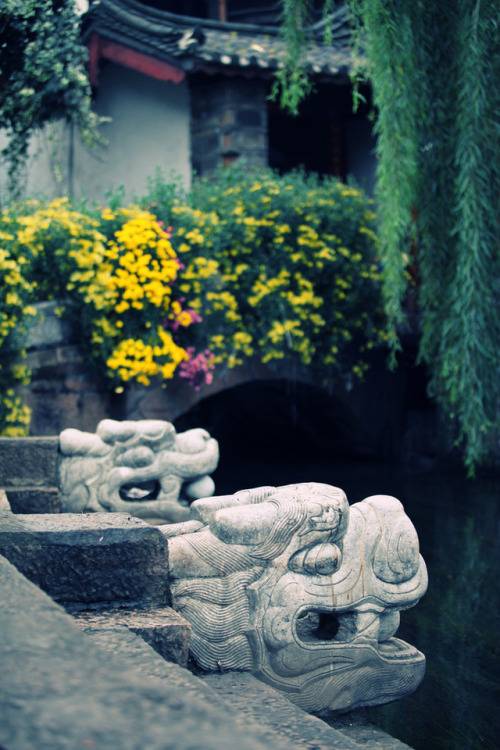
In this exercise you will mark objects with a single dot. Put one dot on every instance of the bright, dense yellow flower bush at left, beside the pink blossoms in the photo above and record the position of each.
(114, 273)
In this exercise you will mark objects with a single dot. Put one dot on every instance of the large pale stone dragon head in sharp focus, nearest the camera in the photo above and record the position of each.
(303, 590)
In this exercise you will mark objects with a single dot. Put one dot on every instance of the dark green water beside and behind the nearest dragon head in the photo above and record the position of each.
(457, 623)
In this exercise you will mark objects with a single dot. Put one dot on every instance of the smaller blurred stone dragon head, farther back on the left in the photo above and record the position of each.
(142, 468)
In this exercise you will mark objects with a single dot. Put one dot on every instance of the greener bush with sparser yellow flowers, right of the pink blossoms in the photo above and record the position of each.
(282, 268)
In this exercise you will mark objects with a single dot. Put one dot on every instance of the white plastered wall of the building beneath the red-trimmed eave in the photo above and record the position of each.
(149, 128)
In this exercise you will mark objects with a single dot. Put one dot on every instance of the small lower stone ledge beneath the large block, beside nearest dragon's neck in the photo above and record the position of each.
(163, 628)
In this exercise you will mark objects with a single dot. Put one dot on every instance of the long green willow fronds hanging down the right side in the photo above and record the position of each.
(434, 67)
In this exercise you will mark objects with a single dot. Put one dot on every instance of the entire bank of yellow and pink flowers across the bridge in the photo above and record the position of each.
(253, 265)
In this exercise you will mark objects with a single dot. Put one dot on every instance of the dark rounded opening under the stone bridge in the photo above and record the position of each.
(273, 432)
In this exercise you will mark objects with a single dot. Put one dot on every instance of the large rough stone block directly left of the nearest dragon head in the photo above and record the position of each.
(88, 558)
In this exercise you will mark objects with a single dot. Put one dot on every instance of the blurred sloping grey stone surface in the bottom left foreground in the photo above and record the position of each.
(61, 689)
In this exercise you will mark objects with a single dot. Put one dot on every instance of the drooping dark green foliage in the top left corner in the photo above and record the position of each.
(42, 75)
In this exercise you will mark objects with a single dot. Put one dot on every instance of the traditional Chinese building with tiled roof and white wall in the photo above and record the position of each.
(186, 86)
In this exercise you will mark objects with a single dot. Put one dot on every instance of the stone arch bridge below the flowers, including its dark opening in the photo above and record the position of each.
(253, 408)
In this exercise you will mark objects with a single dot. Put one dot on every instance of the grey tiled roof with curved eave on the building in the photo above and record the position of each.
(200, 44)
